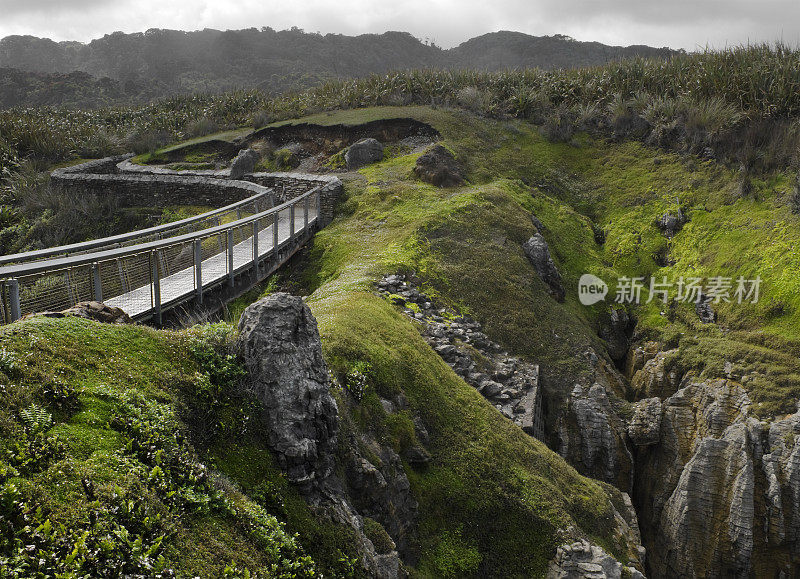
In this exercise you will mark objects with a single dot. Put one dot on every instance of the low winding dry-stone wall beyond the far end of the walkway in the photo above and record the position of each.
(138, 185)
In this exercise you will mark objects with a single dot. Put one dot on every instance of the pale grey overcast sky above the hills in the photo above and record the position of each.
(688, 24)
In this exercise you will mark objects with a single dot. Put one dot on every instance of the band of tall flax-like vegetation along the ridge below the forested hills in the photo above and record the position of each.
(739, 102)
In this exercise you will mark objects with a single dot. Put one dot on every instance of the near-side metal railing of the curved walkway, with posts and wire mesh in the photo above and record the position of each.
(146, 278)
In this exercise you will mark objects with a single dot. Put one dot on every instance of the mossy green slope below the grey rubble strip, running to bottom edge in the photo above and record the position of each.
(511, 504)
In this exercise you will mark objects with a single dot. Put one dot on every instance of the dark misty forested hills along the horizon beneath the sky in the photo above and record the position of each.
(142, 66)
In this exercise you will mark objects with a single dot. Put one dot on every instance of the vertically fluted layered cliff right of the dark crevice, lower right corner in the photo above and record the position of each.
(717, 491)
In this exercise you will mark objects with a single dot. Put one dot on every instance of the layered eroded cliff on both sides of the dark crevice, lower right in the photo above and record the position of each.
(716, 490)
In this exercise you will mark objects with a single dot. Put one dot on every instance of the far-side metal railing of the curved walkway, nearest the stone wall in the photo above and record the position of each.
(250, 206)
